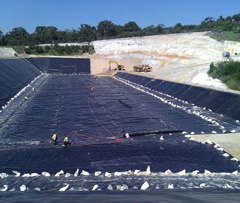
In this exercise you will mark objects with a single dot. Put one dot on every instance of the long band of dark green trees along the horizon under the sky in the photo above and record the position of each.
(108, 30)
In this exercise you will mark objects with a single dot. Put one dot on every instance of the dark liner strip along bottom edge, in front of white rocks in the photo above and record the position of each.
(174, 196)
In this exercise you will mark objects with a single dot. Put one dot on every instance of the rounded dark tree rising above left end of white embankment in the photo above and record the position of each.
(106, 29)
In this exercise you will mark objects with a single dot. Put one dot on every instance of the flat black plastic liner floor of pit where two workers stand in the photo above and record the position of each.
(95, 122)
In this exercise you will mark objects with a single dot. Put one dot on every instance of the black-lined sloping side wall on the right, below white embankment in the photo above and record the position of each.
(225, 103)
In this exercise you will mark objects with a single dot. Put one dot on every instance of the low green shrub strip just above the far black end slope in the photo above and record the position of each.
(58, 50)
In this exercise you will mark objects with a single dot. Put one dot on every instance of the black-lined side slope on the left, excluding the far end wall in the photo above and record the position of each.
(14, 75)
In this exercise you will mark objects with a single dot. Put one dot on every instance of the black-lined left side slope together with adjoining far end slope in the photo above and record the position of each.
(17, 73)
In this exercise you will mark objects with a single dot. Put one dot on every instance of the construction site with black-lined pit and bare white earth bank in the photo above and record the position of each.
(141, 114)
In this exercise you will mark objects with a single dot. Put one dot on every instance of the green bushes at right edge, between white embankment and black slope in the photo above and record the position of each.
(227, 72)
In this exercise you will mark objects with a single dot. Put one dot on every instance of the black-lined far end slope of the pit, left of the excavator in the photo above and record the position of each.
(61, 65)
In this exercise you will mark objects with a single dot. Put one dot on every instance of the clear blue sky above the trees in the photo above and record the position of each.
(69, 14)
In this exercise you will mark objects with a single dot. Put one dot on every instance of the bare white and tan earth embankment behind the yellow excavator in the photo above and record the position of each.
(176, 57)
